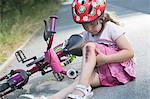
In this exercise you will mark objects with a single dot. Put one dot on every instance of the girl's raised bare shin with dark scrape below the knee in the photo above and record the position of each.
(88, 63)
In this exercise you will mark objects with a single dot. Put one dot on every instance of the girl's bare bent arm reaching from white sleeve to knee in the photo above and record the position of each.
(125, 53)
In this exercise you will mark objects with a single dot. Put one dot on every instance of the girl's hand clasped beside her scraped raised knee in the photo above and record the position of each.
(101, 59)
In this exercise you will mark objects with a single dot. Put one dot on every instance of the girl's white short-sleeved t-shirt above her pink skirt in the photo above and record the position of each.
(109, 35)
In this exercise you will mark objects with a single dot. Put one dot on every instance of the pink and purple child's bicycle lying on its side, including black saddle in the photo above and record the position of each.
(52, 59)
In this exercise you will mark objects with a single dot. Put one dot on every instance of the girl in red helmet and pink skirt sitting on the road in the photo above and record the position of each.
(107, 54)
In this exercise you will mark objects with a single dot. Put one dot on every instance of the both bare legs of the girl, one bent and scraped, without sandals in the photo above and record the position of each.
(88, 75)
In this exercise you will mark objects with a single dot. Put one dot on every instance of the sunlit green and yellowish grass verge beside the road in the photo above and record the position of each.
(16, 28)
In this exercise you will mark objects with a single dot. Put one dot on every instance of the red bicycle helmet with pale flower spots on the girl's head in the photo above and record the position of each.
(87, 10)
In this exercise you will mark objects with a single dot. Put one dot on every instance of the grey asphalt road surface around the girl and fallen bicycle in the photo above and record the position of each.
(136, 22)
